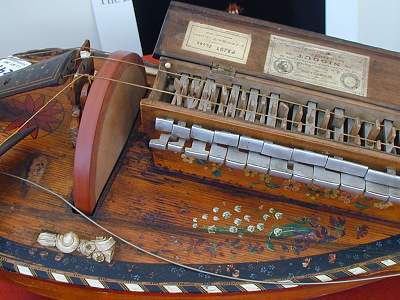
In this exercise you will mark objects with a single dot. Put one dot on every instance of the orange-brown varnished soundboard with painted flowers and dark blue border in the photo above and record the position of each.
(158, 210)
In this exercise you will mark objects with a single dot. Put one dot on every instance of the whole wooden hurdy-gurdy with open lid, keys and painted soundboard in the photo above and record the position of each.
(262, 158)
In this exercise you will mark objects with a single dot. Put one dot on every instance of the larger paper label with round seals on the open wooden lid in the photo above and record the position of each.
(318, 65)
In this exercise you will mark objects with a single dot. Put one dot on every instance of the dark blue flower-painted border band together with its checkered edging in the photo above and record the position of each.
(24, 260)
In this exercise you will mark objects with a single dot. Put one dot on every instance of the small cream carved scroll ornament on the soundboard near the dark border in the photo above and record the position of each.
(100, 249)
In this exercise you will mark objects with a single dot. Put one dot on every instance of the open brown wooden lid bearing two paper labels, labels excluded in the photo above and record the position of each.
(384, 65)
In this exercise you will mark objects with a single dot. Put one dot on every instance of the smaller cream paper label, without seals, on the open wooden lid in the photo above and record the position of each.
(217, 42)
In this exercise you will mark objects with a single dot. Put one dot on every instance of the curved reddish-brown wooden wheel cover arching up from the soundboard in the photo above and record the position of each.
(110, 110)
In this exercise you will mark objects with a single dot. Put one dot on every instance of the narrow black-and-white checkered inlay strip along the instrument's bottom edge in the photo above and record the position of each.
(226, 287)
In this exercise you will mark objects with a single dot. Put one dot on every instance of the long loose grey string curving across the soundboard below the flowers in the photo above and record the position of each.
(185, 266)
